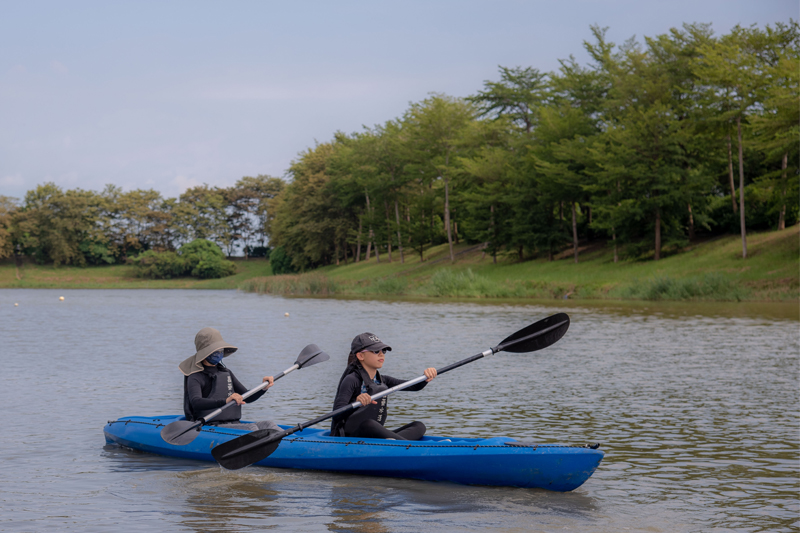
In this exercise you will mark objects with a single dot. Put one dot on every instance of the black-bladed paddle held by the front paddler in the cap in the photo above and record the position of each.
(253, 447)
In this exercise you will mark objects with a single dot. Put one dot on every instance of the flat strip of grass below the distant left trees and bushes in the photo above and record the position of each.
(119, 277)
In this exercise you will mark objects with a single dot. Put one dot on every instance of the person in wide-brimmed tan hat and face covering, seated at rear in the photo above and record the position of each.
(208, 384)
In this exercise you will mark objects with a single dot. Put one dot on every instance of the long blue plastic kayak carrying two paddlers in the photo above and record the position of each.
(500, 461)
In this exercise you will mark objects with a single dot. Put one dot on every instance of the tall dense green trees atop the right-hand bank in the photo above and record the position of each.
(645, 147)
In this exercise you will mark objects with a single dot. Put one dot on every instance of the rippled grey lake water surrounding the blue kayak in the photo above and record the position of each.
(697, 414)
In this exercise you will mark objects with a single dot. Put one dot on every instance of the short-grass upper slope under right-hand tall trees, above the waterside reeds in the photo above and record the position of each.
(771, 271)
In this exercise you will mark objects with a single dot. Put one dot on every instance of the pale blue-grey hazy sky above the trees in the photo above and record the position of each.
(171, 94)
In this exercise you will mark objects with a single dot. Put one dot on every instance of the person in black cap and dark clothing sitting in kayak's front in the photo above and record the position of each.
(360, 381)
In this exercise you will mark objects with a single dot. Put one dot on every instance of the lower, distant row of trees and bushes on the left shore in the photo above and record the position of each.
(80, 227)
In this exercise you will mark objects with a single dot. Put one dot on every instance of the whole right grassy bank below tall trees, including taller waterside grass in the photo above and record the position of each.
(706, 271)
